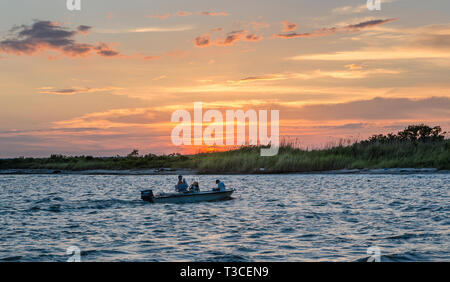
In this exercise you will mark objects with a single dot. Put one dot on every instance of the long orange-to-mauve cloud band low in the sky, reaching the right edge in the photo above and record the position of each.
(368, 110)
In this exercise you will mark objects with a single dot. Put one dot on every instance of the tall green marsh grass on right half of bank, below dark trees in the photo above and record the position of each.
(399, 154)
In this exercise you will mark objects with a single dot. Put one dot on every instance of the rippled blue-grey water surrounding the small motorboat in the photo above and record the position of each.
(270, 218)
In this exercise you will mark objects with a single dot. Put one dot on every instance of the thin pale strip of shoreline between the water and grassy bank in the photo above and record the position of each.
(167, 171)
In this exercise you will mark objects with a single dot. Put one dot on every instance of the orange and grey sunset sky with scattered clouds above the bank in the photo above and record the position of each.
(106, 79)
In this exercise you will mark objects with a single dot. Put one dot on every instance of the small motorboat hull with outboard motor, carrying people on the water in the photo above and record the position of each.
(187, 197)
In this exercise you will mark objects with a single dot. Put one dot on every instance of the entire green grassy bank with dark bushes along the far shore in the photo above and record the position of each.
(410, 148)
